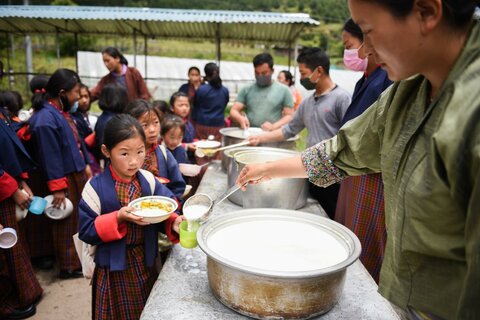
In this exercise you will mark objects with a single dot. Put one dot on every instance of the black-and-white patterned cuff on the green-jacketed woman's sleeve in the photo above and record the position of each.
(320, 169)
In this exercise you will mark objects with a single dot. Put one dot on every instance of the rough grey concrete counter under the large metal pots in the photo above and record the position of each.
(182, 290)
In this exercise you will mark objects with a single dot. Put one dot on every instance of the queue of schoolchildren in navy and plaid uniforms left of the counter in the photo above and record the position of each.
(55, 150)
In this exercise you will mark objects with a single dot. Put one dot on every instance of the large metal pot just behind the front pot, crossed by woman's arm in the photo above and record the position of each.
(284, 193)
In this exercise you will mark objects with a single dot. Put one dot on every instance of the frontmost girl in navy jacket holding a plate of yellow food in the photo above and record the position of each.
(126, 245)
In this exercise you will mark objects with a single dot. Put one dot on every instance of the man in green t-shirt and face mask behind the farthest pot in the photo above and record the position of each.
(266, 103)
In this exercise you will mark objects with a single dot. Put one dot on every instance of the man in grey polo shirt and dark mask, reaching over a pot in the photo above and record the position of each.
(321, 113)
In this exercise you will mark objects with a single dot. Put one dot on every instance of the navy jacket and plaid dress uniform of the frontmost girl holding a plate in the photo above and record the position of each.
(125, 273)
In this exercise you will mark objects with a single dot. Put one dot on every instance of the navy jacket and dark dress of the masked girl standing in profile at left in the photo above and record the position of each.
(62, 166)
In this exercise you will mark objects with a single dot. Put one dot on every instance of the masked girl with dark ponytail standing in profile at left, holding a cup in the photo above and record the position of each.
(57, 148)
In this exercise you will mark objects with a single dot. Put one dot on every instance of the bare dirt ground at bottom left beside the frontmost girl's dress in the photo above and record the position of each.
(63, 299)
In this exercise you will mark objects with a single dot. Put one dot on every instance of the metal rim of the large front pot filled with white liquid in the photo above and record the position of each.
(348, 239)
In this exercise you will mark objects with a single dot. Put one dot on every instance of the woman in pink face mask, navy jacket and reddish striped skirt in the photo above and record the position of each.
(360, 205)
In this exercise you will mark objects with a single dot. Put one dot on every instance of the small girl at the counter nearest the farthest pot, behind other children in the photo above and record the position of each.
(180, 106)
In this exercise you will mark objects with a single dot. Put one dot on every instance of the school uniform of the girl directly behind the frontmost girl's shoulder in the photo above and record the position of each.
(161, 162)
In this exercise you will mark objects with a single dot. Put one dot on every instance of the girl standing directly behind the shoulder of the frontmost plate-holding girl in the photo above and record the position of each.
(158, 159)
